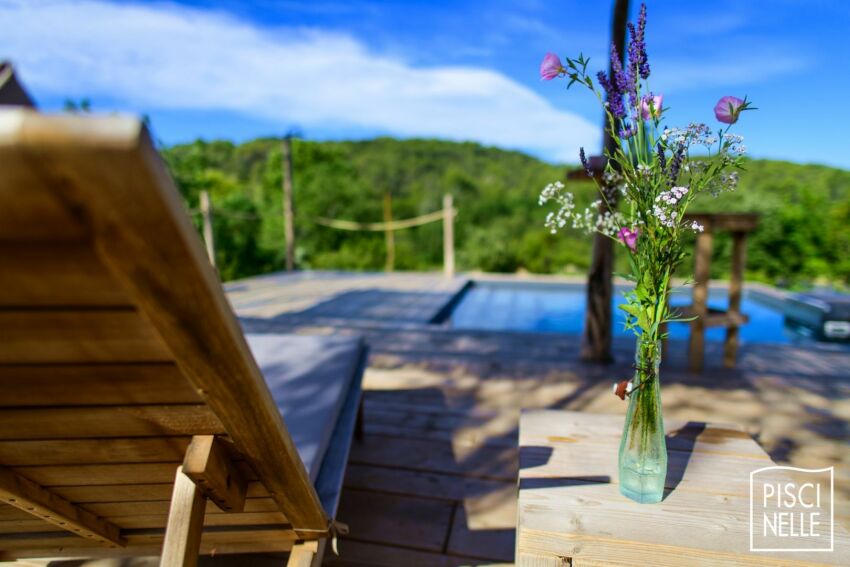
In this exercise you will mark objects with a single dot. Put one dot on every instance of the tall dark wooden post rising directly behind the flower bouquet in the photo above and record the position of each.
(596, 340)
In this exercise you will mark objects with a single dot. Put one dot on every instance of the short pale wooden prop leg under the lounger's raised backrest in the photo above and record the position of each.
(185, 524)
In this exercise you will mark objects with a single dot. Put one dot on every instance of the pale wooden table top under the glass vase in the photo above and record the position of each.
(571, 511)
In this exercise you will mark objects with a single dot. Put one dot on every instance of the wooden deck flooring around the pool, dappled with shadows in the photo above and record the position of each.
(434, 480)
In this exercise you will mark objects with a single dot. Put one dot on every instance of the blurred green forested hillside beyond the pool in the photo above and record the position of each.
(804, 234)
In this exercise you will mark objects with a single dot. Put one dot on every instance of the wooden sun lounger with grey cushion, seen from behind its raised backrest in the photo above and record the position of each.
(122, 365)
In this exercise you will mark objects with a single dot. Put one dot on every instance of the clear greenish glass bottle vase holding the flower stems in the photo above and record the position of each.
(643, 448)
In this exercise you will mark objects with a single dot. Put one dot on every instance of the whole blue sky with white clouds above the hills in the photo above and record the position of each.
(456, 70)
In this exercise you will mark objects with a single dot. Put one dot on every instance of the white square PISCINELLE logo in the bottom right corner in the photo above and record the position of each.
(792, 512)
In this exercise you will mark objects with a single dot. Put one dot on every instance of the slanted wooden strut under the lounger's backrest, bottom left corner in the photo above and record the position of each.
(38, 501)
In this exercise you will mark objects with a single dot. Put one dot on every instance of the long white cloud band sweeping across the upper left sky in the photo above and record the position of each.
(162, 56)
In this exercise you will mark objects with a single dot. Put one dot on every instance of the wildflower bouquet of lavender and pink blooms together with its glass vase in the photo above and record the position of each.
(657, 172)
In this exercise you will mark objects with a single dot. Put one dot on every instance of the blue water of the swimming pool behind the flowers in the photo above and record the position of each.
(544, 307)
